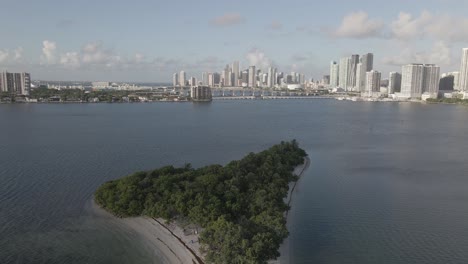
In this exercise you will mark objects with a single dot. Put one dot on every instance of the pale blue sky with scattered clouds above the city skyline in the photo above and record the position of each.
(147, 41)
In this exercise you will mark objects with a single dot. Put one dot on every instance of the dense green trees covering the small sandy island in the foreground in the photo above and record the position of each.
(239, 206)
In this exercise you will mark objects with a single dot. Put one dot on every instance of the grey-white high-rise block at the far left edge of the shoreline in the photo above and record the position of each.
(17, 83)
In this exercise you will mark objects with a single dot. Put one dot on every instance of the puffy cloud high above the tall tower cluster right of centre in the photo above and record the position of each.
(359, 25)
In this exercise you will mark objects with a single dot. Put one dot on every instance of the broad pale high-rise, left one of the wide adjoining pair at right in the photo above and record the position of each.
(412, 80)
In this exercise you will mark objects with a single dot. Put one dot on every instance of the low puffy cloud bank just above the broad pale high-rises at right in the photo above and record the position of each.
(440, 54)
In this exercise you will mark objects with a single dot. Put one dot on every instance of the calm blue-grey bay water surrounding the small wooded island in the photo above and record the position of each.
(388, 183)
